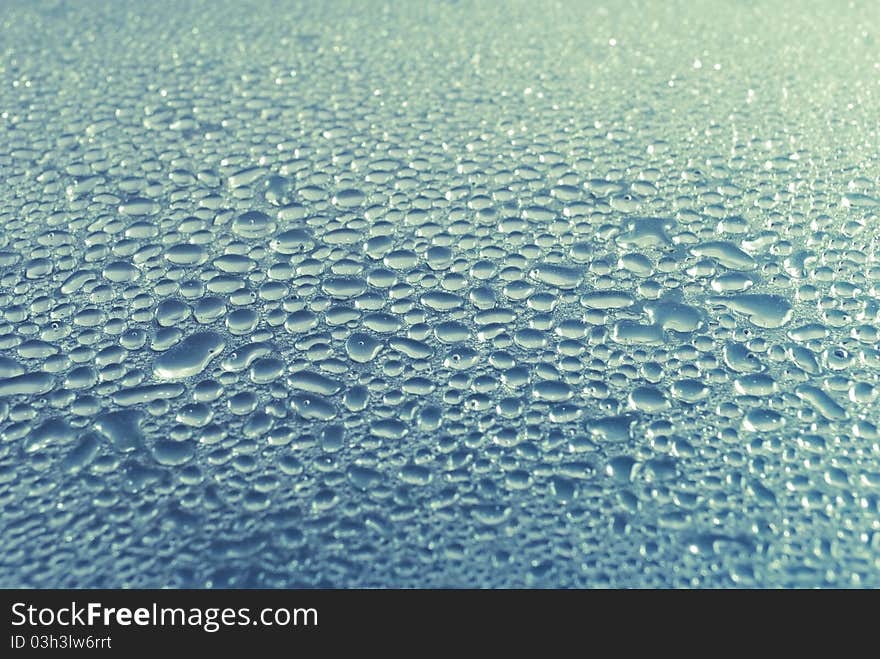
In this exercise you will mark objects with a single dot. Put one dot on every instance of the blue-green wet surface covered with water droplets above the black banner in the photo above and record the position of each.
(365, 296)
